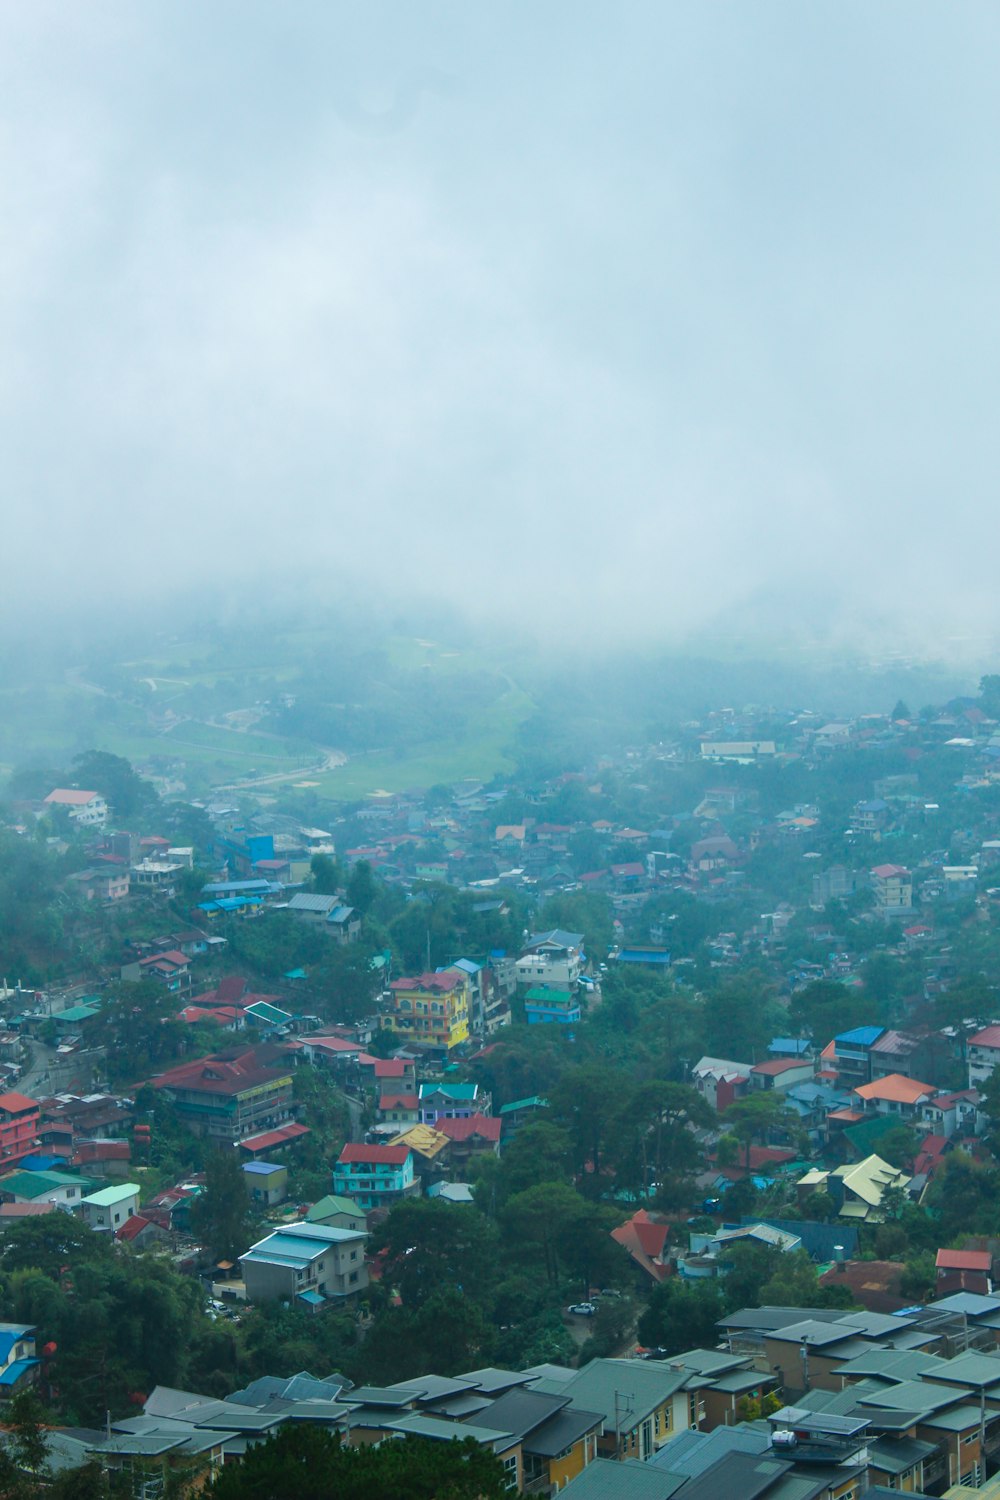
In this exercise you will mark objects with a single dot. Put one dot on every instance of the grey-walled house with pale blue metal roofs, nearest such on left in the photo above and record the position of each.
(308, 1265)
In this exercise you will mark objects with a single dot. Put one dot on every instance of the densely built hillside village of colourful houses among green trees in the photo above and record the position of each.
(645, 1117)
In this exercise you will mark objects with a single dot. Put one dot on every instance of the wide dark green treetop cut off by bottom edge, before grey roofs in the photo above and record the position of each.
(314, 1465)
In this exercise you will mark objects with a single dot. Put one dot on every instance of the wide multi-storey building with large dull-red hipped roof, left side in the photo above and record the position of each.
(230, 1094)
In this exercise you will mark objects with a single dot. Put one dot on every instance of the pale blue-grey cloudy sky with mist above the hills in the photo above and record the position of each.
(629, 323)
